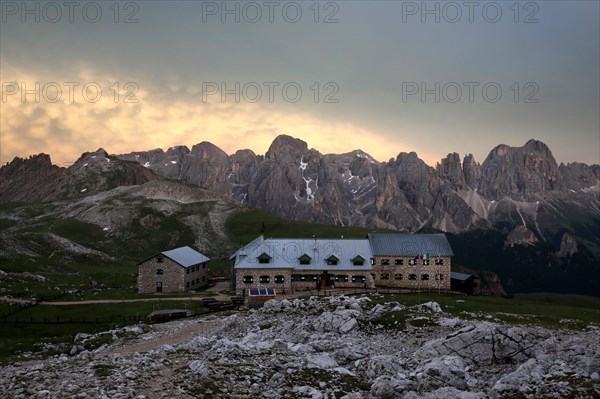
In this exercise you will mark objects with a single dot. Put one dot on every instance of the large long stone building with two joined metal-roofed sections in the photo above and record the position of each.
(412, 261)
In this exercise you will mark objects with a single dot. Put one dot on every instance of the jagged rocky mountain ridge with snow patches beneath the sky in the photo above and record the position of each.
(514, 186)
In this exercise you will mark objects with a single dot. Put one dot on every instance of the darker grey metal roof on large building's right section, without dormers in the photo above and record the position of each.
(390, 244)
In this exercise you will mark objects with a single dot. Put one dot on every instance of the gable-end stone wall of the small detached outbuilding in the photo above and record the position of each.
(172, 276)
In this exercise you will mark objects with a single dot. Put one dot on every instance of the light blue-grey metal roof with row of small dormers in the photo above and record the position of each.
(284, 254)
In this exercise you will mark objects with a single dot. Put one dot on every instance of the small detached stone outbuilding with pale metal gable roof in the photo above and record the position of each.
(178, 270)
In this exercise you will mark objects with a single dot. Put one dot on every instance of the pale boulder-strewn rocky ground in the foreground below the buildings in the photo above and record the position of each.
(339, 347)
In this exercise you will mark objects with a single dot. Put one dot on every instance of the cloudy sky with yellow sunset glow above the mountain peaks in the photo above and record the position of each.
(383, 76)
